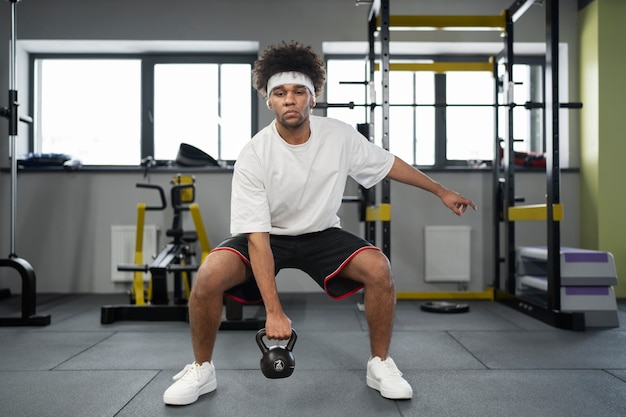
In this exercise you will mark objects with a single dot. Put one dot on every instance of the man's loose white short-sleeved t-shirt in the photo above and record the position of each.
(294, 189)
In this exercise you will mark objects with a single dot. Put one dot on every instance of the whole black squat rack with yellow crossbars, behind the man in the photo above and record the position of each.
(503, 188)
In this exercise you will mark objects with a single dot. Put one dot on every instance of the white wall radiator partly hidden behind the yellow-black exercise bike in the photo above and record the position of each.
(123, 248)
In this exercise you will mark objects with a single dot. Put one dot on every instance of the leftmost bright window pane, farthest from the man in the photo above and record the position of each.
(89, 109)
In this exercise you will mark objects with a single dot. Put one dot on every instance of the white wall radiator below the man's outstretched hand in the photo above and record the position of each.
(447, 253)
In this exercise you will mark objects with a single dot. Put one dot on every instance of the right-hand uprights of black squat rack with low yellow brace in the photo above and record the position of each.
(549, 312)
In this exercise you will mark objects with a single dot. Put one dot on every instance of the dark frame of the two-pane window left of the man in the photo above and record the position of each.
(148, 63)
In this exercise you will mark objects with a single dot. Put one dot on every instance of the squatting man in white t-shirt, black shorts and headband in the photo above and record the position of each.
(288, 184)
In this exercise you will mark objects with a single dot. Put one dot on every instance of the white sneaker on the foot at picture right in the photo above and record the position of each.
(385, 377)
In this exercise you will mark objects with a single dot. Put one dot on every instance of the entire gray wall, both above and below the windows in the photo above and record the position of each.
(64, 218)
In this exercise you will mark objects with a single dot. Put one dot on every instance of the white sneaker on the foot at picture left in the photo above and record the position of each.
(193, 381)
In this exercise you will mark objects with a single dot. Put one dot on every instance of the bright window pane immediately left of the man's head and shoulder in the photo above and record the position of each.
(202, 105)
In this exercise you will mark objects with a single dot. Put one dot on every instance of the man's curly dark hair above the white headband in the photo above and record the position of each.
(292, 56)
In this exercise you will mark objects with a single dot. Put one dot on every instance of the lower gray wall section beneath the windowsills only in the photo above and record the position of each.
(64, 220)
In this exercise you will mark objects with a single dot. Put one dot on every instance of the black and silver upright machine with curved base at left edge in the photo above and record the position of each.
(23, 267)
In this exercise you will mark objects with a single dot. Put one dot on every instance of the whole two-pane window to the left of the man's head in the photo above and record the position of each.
(118, 110)
